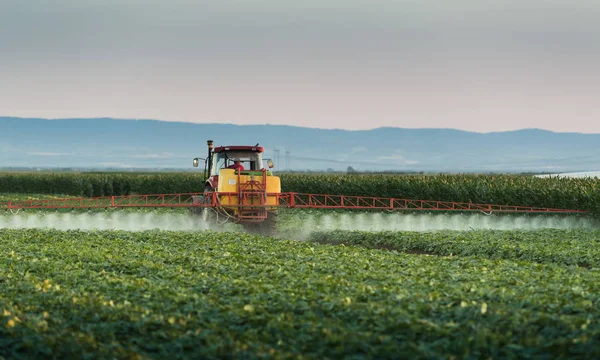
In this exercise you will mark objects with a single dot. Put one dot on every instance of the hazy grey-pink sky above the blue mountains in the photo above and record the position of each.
(481, 65)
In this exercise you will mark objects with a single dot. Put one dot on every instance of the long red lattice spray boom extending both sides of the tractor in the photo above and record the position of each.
(284, 200)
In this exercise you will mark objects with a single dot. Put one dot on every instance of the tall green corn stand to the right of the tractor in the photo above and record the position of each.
(552, 192)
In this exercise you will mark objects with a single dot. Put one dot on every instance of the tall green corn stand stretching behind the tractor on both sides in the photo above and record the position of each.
(554, 192)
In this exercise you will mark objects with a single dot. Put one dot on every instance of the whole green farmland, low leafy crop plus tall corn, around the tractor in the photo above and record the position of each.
(153, 284)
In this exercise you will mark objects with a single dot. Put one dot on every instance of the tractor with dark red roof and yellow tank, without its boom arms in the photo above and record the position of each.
(246, 195)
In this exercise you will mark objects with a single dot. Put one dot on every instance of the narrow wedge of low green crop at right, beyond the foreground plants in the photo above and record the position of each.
(579, 247)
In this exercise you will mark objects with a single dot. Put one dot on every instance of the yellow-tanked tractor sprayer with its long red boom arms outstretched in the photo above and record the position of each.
(251, 197)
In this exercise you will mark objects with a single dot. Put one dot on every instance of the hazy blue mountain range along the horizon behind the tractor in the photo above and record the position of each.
(113, 143)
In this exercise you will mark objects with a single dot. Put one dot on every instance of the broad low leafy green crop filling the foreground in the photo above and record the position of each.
(228, 295)
